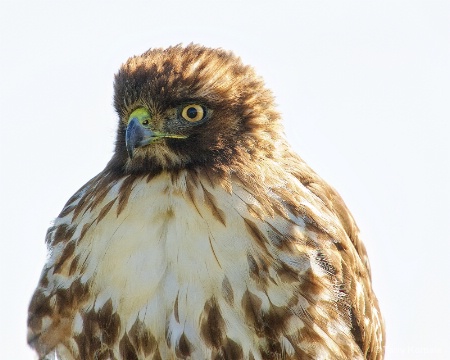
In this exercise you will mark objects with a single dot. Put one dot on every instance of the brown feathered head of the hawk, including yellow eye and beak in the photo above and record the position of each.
(187, 107)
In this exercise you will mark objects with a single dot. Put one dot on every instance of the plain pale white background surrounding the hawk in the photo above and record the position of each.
(363, 86)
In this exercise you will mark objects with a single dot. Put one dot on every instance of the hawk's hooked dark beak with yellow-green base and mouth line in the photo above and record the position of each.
(138, 135)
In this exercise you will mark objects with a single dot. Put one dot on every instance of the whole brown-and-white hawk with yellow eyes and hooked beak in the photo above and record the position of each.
(205, 236)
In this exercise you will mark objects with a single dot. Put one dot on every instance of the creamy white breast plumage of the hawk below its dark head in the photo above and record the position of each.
(162, 251)
